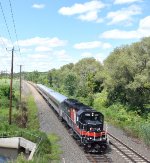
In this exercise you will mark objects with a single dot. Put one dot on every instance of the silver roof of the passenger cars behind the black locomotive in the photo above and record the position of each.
(57, 96)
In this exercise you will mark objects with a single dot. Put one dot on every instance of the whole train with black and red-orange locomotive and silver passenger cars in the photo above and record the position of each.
(86, 124)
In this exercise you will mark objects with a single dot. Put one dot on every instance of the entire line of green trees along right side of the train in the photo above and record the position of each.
(124, 76)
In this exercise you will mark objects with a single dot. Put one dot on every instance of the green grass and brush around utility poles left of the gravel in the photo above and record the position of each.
(48, 149)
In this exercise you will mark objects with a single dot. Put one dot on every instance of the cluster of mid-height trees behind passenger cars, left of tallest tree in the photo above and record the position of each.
(78, 80)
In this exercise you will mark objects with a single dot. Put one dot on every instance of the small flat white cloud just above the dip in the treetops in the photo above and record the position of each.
(92, 45)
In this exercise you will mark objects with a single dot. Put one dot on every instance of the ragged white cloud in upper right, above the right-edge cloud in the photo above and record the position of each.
(124, 15)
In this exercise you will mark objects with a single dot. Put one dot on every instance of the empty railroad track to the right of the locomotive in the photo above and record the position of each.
(128, 153)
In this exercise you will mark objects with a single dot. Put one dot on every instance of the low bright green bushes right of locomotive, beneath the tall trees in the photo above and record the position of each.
(119, 115)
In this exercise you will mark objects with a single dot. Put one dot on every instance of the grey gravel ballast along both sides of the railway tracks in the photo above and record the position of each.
(72, 153)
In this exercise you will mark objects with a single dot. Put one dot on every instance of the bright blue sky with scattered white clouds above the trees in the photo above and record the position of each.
(48, 34)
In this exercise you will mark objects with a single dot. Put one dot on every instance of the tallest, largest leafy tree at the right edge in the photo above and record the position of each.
(128, 76)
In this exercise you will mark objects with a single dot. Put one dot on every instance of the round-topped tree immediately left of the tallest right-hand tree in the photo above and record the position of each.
(86, 69)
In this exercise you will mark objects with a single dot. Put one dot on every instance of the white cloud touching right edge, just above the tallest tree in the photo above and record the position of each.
(142, 31)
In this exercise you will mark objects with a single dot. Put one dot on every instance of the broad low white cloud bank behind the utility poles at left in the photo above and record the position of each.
(36, 54)
